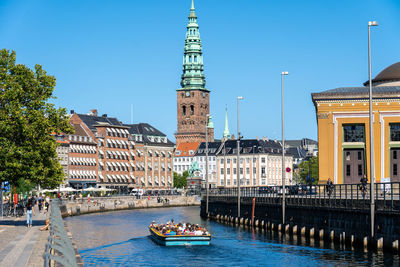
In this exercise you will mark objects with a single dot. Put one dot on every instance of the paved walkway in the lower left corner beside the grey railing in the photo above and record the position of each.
(22, 246)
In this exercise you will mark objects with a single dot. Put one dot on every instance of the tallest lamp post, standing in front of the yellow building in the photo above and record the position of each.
(371, 133)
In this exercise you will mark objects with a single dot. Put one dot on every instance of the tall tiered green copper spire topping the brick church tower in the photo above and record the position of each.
(193, 77)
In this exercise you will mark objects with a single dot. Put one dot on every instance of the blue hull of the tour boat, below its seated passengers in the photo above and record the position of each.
(179, 240)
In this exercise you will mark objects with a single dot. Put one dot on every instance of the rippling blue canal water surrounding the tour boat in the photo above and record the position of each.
(122, 239)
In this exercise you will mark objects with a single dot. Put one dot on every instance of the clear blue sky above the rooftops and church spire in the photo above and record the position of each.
(111, 54)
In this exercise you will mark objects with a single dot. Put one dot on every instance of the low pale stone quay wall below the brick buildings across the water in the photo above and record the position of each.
(105, 204)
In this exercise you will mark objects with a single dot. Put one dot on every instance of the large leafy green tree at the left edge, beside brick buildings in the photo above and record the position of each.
(27, 120)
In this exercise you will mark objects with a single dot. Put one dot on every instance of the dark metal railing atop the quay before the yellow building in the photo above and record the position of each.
(348, 196)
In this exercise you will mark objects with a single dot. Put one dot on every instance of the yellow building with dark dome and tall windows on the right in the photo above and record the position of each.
(343, 130)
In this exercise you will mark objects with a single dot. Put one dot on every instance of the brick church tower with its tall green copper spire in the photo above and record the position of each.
(193, 99)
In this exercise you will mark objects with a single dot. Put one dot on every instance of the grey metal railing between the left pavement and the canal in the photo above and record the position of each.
(59, 248)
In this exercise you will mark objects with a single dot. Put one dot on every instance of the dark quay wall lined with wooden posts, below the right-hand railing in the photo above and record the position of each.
(347, 227)
